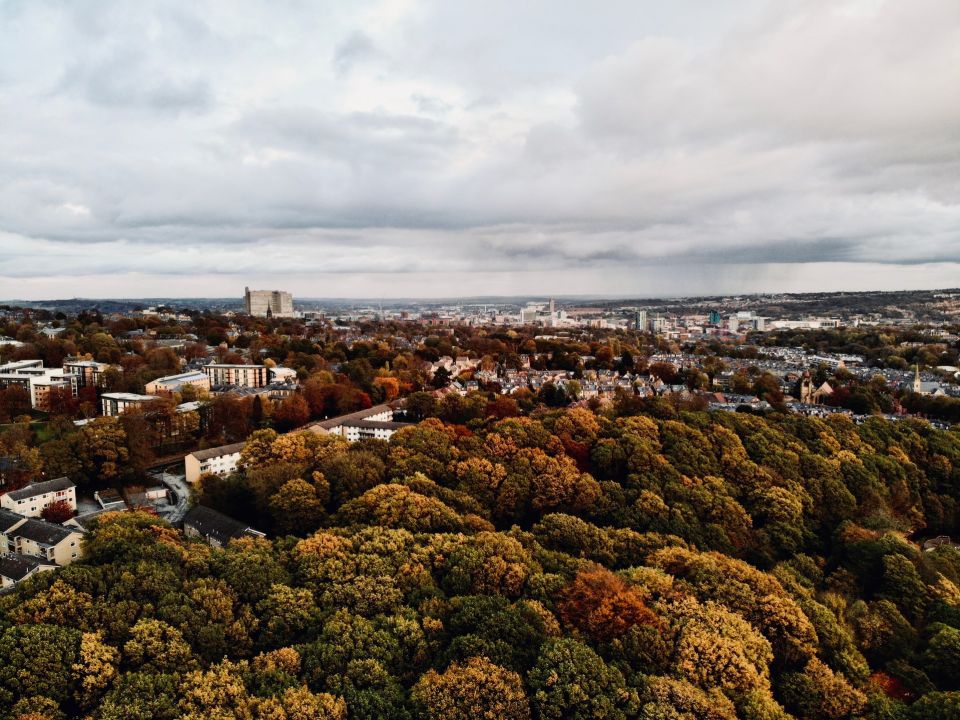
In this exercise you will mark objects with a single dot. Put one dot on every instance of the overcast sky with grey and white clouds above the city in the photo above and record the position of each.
(402, 148)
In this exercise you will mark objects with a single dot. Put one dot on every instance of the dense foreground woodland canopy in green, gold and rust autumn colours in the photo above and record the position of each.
(566, 565)
